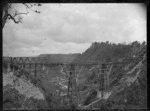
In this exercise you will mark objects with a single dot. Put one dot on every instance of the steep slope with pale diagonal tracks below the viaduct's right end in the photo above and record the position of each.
(127, 86)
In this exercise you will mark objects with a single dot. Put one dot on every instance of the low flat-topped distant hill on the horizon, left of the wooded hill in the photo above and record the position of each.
(65, 58)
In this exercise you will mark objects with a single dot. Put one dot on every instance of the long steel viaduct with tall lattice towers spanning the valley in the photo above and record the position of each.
(22, 62)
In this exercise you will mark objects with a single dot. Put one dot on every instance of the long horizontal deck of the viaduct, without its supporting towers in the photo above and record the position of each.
(43, 61)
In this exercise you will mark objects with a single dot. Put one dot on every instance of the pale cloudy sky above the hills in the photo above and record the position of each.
(71, 28)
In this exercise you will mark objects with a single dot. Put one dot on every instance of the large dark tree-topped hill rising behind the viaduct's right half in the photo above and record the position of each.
(106, 51)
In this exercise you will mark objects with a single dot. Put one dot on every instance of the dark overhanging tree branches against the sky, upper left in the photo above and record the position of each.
(9, 13)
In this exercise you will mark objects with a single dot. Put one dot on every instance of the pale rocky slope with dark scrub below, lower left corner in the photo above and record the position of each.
(20, 93)
